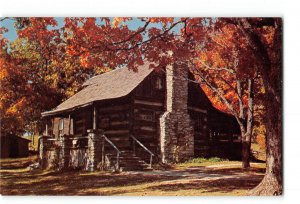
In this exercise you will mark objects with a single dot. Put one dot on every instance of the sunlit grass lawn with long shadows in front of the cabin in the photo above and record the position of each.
(195, 178)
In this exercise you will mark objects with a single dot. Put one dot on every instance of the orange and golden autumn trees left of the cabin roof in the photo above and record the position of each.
(37, 73)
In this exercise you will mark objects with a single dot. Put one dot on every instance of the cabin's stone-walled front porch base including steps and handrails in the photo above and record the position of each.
(92, 152)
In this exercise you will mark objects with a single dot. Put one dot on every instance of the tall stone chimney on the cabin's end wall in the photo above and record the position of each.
(176, 130)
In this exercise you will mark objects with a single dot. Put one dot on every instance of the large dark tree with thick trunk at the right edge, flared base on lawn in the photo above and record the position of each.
(265, 37)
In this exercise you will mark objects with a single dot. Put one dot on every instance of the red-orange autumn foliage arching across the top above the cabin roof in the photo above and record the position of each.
(82, 47)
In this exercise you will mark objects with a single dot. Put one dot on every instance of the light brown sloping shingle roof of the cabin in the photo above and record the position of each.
(114, 84)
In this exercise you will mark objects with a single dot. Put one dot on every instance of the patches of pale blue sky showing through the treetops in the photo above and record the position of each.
(11, 35)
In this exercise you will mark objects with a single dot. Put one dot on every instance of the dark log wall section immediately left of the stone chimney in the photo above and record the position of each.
(148, 106)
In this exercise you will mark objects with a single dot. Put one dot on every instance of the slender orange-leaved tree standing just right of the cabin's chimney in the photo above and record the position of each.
(223, 53)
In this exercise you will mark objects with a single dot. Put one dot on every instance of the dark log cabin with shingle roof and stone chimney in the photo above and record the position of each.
(141, 116)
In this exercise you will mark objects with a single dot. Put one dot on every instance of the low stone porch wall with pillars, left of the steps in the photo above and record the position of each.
(69, 152)
